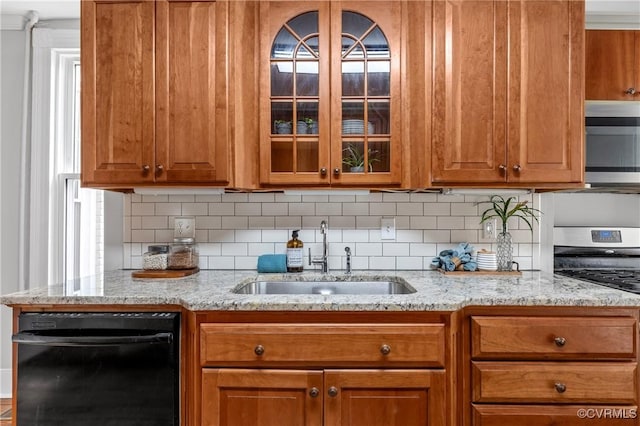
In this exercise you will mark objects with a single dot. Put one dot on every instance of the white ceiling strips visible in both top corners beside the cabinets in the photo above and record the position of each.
(65, 9)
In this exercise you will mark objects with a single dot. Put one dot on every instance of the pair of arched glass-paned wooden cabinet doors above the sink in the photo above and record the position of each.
(330, 93)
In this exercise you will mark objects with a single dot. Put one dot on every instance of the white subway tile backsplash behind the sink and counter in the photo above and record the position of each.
(234, 229)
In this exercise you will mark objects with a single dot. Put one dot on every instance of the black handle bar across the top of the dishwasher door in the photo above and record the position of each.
(39, 339)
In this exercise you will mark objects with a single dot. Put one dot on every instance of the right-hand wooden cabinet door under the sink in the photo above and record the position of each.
(384, 398)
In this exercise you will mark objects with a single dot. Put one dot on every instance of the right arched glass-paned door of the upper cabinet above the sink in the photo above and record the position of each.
(366, 93)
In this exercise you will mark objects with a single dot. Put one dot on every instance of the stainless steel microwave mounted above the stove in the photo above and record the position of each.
(612, 138)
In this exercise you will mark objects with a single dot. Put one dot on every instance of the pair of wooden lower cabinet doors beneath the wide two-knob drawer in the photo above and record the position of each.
(239, 397)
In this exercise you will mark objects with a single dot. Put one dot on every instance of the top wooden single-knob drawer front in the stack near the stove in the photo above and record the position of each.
(553, 337)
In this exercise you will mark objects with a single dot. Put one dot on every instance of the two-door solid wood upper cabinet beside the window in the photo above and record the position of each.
(154, 85)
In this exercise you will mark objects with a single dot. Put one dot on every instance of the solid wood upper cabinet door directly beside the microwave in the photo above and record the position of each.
(546, 91)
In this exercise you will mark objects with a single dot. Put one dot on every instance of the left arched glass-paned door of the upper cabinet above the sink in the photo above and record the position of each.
(298, 97)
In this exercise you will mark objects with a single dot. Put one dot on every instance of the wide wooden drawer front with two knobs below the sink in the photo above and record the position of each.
(324, 345)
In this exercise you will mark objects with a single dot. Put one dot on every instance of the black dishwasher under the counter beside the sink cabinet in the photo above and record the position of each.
(98, 369)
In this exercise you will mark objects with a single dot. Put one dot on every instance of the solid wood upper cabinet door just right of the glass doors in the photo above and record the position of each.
(469, 125)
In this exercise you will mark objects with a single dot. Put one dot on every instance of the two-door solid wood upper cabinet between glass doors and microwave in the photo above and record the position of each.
(508, 92)
